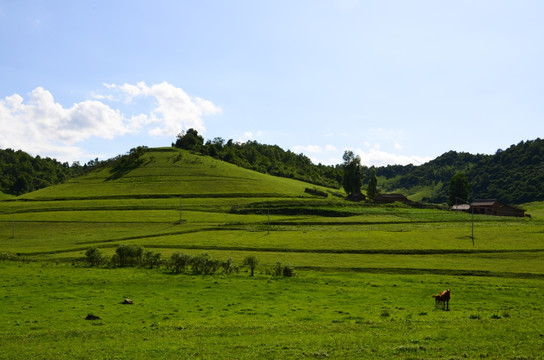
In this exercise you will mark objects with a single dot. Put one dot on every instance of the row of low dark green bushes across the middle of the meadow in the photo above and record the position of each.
(202, 264)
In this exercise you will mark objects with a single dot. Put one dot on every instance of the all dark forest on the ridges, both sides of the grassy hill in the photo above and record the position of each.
(514, 175)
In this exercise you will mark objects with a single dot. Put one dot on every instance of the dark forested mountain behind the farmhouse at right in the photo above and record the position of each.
(514, 175)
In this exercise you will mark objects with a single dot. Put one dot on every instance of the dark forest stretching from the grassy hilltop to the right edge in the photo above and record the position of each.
(514, 175)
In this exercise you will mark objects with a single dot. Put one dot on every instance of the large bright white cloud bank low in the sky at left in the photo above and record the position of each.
(39, 125)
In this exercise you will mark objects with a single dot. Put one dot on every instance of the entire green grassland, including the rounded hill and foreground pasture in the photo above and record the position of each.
(365, 274)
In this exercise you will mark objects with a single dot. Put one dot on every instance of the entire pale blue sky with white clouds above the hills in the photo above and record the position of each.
(397, 82)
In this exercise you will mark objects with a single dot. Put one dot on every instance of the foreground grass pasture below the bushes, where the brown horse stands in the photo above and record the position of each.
(314, 315)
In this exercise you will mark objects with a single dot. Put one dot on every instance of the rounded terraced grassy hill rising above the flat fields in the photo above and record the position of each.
(168, 171)
